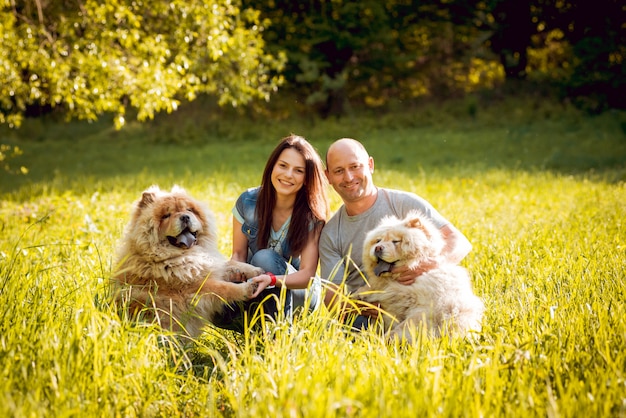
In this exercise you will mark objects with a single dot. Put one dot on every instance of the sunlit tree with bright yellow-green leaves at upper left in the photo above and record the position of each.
(91, 57)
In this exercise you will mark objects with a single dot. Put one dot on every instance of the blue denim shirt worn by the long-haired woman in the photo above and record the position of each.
(245, 209)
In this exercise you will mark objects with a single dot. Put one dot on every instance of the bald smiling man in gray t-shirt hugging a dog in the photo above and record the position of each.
(349, 169)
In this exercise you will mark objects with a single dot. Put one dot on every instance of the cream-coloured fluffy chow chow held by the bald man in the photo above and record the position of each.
(440, 299)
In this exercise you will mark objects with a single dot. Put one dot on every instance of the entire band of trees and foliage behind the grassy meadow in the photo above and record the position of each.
(326, 57)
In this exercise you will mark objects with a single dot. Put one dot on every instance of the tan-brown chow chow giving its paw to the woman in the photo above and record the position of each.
(169, 268)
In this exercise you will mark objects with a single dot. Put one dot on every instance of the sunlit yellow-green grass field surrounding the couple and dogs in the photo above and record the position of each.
(541, 194)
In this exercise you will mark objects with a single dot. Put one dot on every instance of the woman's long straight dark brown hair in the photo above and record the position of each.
(311, 202)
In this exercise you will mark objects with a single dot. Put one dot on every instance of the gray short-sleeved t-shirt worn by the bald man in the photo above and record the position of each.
(342, 237)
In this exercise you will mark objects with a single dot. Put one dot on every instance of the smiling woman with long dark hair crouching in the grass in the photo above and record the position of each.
(277, 226)
